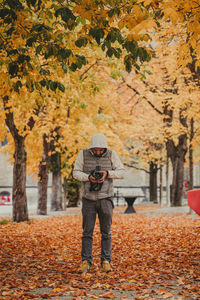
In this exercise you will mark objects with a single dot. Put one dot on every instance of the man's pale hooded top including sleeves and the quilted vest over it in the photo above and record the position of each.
(87, 161)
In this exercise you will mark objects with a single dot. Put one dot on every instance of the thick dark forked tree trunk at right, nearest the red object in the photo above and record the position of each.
(177, 156)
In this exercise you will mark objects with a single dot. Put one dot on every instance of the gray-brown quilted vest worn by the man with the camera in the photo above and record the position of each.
(90, 163)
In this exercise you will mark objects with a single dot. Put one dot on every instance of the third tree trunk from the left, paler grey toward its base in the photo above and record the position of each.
(56, 197)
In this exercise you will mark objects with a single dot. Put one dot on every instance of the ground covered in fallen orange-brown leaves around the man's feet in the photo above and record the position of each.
(153, 258)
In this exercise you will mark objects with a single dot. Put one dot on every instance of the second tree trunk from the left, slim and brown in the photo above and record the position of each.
(43, 179)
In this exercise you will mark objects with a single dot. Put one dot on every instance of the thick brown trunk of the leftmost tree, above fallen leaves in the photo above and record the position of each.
(20, 210)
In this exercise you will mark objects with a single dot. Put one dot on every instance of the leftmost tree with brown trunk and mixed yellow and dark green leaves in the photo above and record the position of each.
(41, 41)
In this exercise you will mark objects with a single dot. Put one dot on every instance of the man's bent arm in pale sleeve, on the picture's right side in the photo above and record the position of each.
(118, 171)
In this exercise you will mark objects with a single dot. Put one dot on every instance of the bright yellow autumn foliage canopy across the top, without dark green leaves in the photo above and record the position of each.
(115, 110)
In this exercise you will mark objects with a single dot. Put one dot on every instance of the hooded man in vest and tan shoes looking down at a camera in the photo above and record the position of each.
(96, 167)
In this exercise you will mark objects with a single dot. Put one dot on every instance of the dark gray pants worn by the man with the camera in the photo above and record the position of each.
(104, 209)
